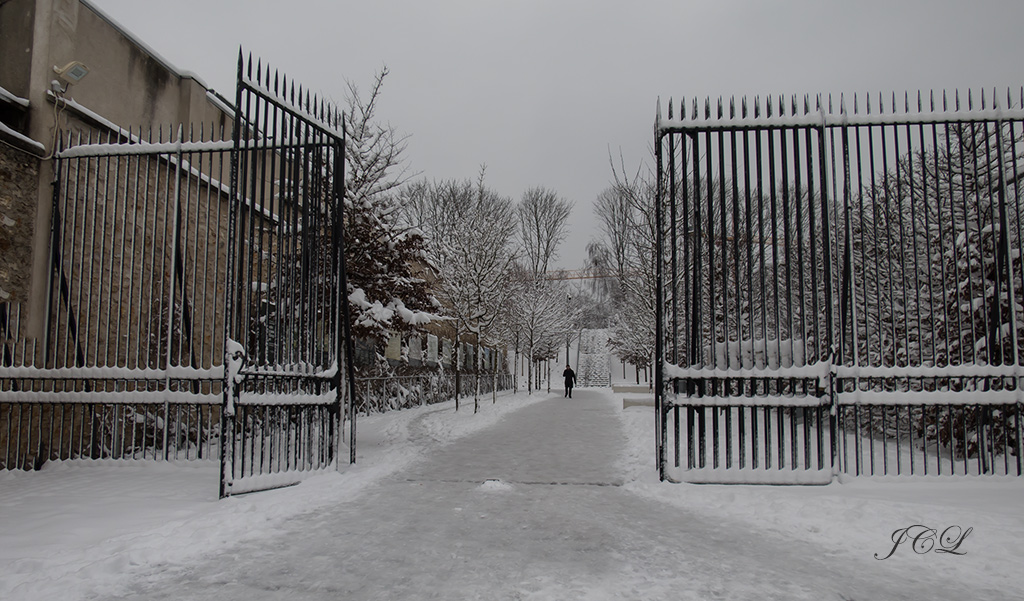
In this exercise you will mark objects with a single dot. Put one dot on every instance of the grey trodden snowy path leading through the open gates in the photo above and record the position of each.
(531, 508)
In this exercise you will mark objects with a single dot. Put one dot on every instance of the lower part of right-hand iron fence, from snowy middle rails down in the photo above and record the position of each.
(912, 428)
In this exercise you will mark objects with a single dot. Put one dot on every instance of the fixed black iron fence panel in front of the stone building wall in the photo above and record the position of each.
(130, 365)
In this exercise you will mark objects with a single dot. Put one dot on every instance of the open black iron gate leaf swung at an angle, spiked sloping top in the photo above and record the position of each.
(287, 356)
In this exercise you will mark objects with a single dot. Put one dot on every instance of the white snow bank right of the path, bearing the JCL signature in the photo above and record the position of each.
(856, 521)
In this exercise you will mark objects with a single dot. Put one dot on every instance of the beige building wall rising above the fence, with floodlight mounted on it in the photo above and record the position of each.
(129, 85)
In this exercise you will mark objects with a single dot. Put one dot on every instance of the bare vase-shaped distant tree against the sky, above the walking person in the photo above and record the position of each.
(542, 228)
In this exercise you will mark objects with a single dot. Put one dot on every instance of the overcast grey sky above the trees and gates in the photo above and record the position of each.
(542, 91)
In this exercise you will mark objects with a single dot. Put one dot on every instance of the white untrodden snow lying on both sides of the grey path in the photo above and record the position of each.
(78, 530)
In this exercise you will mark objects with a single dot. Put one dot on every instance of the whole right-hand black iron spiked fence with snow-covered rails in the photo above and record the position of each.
(841, 286)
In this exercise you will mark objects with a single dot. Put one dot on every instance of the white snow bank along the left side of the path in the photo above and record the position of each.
(76, 527)
